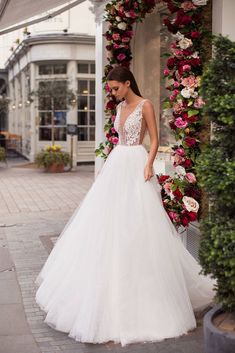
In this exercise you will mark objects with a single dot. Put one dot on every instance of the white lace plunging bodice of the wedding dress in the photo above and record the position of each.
(133, 129)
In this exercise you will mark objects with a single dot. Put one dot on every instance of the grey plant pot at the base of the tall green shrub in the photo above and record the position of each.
(216, 340)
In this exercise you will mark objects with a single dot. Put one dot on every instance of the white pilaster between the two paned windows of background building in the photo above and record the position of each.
(72, 113)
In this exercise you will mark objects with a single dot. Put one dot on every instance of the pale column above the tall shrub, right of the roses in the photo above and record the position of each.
(223, 18)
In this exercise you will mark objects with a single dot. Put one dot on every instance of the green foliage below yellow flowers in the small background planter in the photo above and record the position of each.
(47, 158)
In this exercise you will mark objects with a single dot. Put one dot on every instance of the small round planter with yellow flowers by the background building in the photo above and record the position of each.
(53, 159)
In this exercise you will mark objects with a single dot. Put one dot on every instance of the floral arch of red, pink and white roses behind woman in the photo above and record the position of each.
(180, 193)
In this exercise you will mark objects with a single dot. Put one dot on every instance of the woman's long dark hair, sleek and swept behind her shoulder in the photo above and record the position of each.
(122, 74)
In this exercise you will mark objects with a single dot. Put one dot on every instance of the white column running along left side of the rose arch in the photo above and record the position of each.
(100, 116)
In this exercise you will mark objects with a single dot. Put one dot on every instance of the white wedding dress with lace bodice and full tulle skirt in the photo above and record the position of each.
(119, 271)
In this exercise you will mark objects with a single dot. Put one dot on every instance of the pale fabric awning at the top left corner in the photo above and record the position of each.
(16, 14)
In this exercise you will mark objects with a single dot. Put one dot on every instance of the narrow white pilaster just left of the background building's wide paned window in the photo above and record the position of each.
(33, 128)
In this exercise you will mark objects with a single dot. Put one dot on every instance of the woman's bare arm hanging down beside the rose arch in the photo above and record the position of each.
(149, 116)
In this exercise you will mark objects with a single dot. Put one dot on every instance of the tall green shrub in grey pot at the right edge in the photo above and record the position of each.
(215, 170)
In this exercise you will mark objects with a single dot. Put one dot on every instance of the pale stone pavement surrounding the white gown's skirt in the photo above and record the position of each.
(34, 207)
